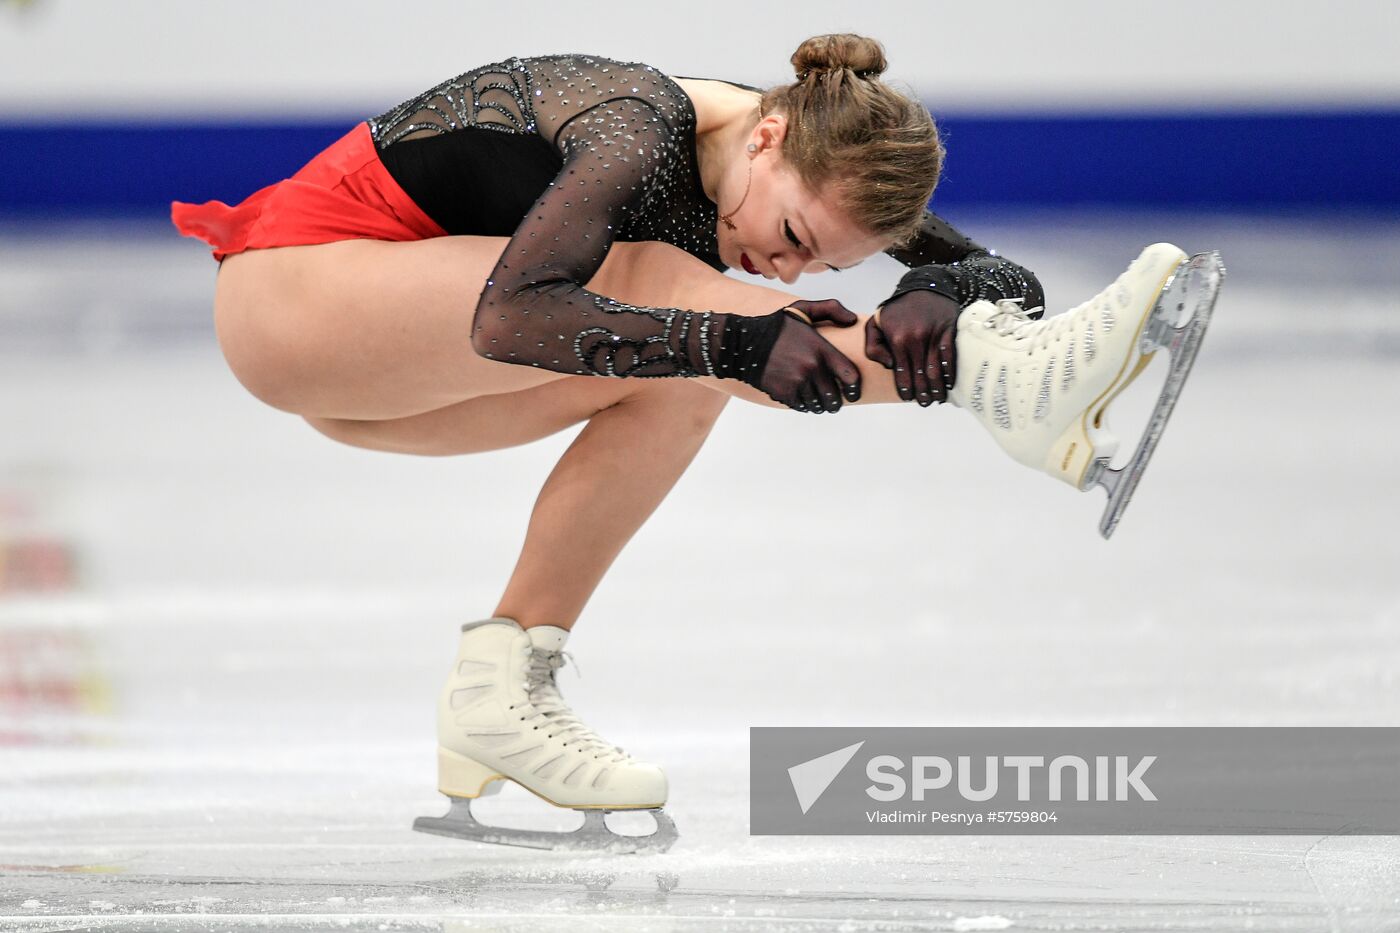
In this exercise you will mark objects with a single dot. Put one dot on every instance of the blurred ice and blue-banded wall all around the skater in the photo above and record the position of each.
(223, 634)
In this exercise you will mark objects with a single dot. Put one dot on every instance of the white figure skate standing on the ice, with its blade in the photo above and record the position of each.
(502, 718)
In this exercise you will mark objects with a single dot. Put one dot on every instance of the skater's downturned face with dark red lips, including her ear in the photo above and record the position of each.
(783, 229)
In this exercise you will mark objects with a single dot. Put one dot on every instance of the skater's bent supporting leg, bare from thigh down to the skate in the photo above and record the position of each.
(642, 436)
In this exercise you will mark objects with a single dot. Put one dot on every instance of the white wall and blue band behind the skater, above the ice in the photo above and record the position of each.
(1084, 103)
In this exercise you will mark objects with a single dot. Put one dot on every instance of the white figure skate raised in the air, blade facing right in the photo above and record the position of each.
(1044, 387)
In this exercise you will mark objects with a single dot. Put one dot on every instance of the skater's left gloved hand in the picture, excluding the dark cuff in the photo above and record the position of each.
(806, 372)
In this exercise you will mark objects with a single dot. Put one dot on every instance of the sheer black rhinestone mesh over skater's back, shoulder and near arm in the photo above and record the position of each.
(626, 137)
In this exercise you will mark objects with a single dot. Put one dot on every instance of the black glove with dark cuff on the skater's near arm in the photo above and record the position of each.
(783, 357)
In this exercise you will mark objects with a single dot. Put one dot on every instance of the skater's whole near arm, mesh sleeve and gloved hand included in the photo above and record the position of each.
(535, 310)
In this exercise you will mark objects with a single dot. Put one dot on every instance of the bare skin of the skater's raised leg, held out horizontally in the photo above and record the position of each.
(369, 330)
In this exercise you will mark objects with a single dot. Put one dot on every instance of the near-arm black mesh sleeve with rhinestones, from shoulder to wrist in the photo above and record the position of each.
(535, 310)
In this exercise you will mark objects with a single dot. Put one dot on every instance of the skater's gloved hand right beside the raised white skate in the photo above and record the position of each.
(915, 337)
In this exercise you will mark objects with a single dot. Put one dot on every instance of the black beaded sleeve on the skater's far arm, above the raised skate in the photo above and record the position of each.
(951, 264)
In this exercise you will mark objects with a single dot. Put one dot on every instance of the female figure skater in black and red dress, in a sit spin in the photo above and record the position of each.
(456, 275)
